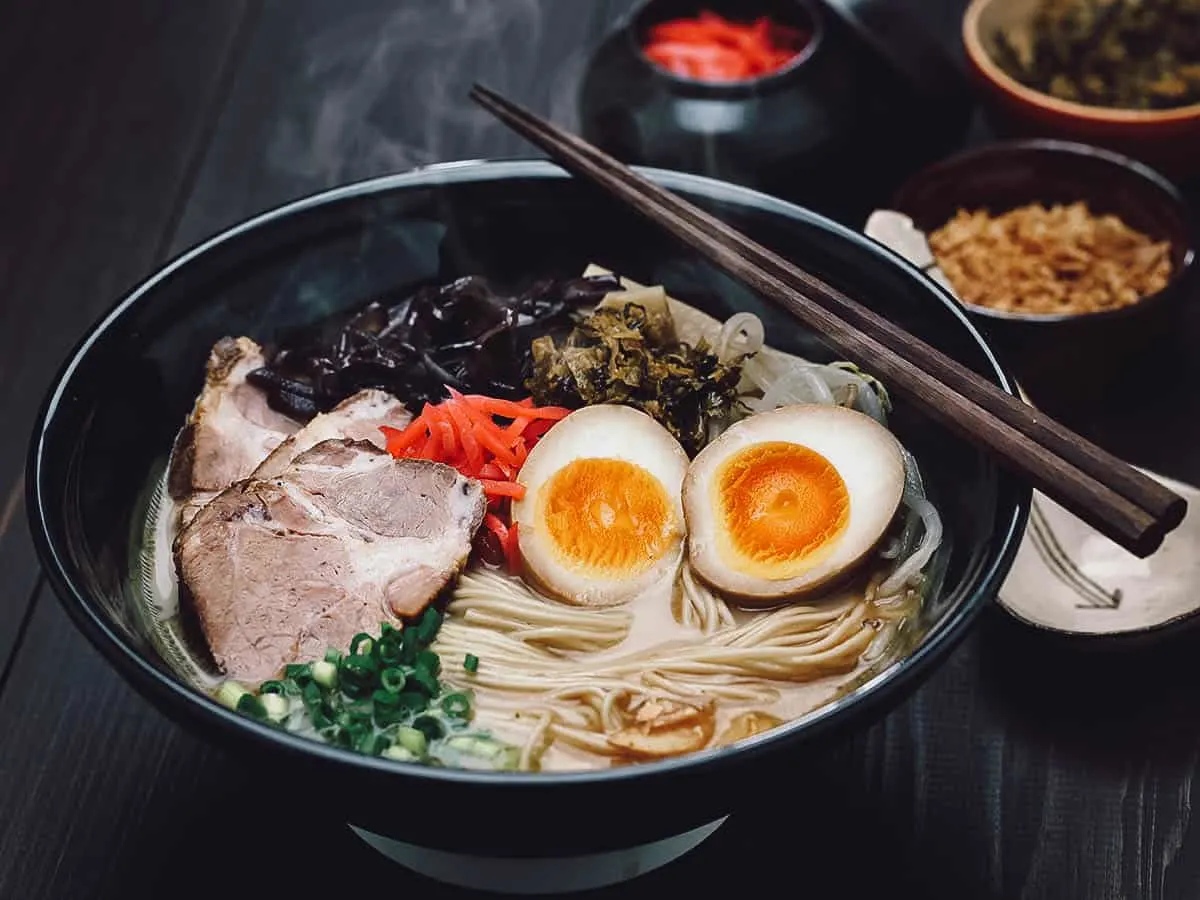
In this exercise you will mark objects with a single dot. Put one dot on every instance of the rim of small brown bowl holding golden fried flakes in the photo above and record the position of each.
(1025, 148)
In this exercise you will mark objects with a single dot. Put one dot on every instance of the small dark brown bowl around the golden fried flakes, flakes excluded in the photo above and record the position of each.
(1076, 355)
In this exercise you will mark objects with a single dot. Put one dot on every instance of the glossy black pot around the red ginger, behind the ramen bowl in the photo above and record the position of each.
(832, 130)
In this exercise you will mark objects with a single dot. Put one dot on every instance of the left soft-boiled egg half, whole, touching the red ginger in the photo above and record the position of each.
(602, 519)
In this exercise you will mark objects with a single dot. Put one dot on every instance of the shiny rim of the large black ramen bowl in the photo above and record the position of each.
(187, 701)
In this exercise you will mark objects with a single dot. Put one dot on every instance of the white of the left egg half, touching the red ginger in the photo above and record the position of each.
(605, 433)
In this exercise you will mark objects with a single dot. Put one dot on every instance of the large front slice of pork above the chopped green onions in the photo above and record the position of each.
(344, 539)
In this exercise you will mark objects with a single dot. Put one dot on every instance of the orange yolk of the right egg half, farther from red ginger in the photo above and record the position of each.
(782, 506)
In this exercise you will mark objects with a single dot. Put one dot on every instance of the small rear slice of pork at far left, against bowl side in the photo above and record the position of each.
(230, 431)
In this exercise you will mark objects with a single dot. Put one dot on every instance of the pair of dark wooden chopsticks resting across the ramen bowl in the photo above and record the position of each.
(1108, 494)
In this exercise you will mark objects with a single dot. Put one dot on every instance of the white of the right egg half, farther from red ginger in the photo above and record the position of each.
(867, 457)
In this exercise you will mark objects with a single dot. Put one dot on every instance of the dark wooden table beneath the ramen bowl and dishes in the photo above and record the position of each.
(133, 130)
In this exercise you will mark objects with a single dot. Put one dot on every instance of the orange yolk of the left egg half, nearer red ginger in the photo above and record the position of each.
(607, 517)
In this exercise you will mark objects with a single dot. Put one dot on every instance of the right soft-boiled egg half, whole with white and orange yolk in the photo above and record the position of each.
(787, 502)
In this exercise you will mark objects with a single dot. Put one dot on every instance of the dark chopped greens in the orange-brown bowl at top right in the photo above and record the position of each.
(1124, 55)
